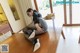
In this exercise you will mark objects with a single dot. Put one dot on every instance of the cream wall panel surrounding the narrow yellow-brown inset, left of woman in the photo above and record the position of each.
(16, 25)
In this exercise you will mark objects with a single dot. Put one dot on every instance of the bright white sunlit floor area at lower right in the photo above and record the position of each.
(70, 44)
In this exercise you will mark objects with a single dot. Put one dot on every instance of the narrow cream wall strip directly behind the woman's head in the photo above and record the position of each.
(25, 4)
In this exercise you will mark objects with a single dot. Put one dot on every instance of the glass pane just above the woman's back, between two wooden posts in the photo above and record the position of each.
(44, 7)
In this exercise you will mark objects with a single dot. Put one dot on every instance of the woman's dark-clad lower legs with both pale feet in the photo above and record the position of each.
(30, 35)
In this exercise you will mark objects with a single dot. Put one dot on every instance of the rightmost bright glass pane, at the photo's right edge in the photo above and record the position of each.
(76, 12)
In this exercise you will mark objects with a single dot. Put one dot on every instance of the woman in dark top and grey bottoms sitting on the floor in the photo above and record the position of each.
(38, 28)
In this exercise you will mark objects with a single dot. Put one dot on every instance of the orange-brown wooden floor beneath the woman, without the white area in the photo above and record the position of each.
(18, 43)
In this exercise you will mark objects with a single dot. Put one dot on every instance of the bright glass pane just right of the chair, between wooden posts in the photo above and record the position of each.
(58, 10)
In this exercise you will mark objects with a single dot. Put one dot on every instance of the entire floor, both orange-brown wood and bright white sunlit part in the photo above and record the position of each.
(50, 42)
